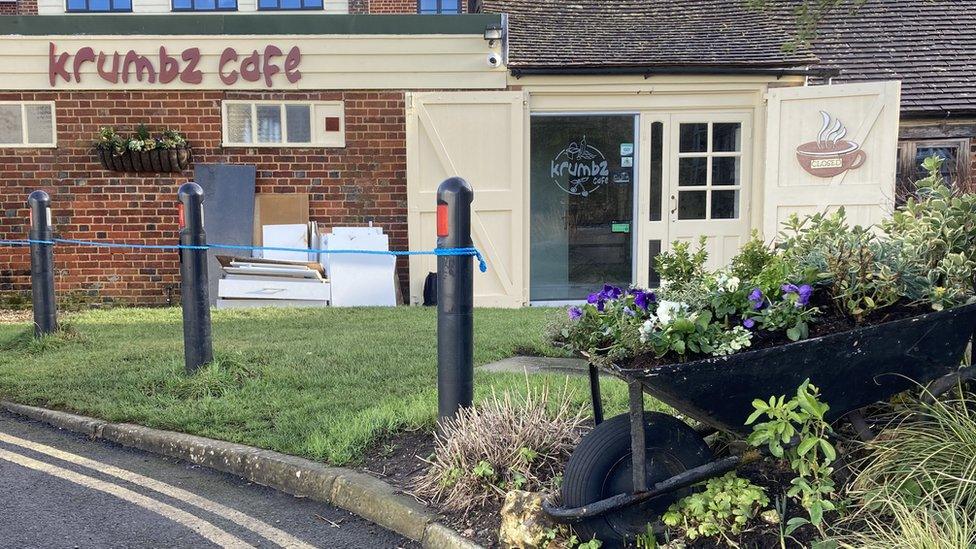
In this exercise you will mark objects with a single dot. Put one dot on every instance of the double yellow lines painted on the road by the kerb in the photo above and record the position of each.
(203, 528)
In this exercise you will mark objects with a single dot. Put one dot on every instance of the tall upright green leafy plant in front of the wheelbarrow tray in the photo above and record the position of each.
(796, 430)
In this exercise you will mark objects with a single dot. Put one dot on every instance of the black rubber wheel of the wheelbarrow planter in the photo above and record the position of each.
(601, 467)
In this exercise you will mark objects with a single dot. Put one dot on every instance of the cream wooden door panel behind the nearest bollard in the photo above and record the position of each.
(478, 136)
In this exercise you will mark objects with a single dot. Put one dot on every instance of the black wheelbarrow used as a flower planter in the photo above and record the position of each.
(611, 491)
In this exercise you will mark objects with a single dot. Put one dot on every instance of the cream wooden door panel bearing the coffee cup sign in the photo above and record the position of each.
(869, 112)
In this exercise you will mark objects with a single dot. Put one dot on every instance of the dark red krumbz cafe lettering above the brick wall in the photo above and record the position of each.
(270, 64)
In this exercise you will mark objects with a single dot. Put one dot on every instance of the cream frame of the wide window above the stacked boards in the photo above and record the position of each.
(316, 134)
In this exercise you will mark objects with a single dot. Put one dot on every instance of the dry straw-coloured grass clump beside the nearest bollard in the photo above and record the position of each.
(512, 442)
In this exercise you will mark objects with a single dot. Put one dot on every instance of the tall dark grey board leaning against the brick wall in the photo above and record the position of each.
(228, 211)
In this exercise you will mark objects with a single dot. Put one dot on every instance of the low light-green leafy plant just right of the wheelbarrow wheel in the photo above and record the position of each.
(726, 505)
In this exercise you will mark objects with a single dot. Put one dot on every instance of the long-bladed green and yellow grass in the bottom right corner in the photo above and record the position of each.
(916, 484)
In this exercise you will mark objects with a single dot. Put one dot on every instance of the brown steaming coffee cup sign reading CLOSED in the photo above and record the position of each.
(830, 154)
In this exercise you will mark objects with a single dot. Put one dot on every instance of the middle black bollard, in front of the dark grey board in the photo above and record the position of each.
(194, 295)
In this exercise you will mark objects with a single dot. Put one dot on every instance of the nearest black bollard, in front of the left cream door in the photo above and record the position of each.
(455, 299)
